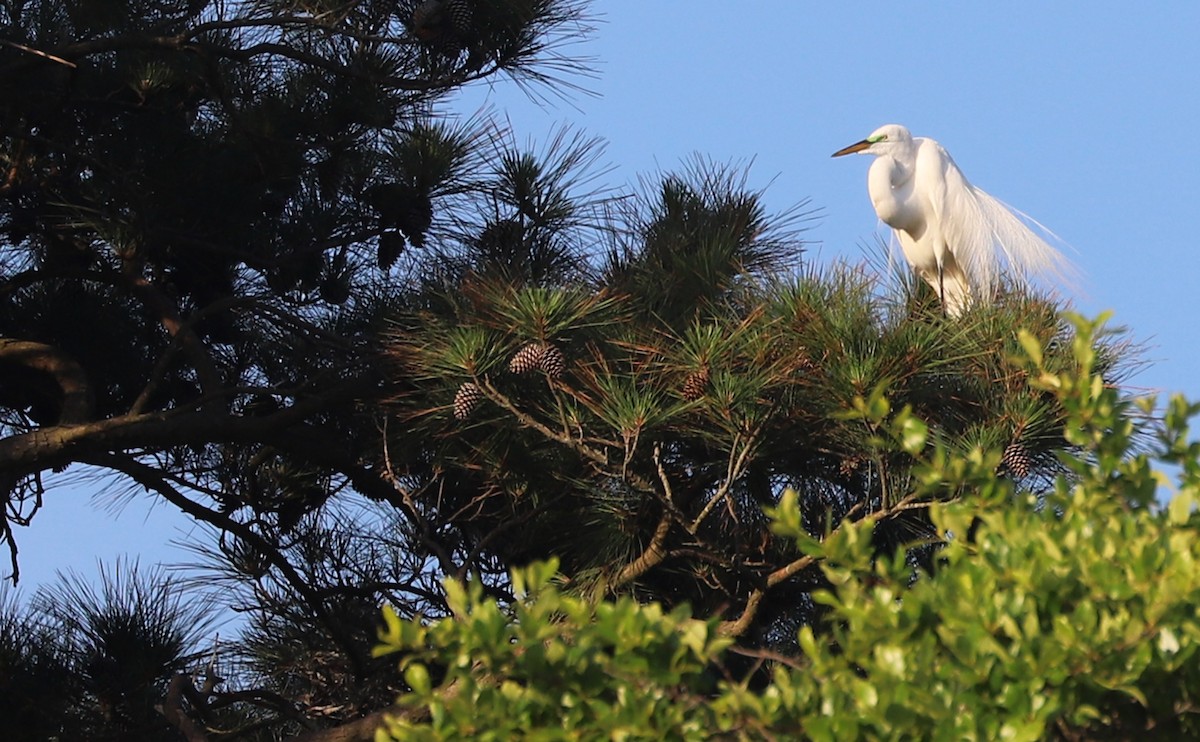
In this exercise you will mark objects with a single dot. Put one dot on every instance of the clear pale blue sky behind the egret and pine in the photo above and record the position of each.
(1082, 115)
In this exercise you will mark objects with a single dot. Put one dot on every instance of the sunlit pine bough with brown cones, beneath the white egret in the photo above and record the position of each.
(704, 385)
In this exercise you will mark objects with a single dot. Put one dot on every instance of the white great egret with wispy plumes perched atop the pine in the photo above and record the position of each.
(956, 237)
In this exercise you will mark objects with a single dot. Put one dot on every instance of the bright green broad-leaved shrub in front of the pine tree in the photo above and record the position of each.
(1069, 617)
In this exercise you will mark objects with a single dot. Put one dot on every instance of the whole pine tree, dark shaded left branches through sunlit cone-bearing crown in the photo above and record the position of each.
(250, 268)
